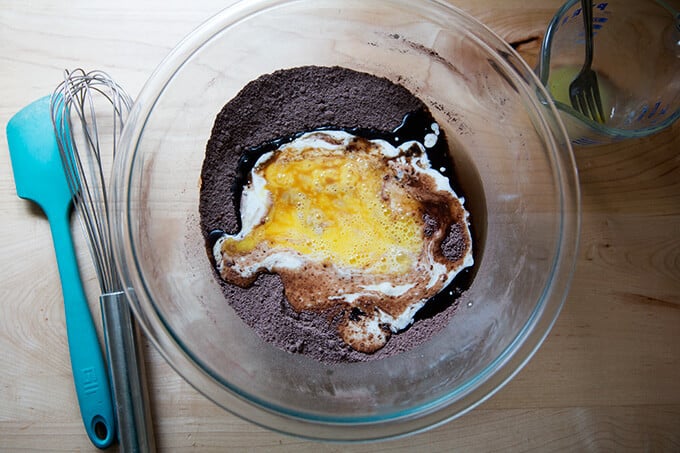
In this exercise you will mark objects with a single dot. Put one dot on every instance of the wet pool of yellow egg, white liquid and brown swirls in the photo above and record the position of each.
(349, 224)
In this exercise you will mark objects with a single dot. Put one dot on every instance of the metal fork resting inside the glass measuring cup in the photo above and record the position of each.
(584, 92)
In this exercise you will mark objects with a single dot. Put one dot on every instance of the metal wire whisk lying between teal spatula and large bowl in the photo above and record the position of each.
(83, 107)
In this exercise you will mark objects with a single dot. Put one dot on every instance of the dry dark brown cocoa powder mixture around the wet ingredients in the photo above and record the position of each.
(282, 104)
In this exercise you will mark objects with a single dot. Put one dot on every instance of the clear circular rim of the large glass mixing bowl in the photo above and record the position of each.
(401, 423)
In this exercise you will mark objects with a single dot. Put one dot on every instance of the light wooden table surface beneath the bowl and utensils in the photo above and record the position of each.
(606, 378)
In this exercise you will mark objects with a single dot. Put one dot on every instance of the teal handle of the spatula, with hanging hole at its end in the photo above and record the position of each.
(87, 360)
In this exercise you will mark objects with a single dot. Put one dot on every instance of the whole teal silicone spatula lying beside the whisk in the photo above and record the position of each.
(40, 177)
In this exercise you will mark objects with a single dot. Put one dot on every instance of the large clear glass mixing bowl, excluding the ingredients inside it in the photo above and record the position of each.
(513, 161)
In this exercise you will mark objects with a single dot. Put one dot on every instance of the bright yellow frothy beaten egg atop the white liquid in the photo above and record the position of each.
(339, 207)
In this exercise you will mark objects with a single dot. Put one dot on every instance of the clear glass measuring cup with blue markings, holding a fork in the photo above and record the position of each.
(637, 60)
